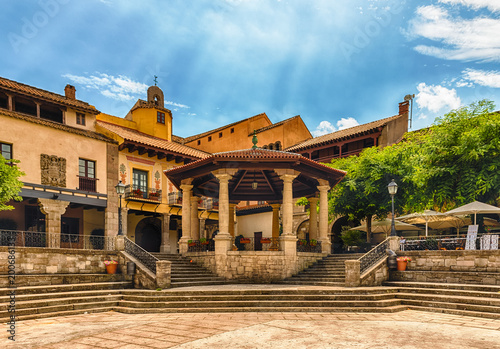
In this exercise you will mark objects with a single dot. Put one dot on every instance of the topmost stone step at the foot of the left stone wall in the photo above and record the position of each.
(58, 279)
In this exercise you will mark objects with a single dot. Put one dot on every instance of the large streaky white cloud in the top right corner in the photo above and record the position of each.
(456, 38)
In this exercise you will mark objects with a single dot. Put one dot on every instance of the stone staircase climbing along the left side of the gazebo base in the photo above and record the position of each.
(185, 273)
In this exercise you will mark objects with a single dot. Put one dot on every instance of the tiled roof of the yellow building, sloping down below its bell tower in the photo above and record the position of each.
(139, 137)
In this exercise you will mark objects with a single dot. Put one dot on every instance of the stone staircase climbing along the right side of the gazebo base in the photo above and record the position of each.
(329, 271)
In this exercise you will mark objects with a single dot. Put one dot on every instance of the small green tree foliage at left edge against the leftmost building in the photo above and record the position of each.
(10, 185)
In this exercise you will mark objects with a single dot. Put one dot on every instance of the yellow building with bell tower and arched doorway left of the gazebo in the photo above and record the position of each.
(152, 207)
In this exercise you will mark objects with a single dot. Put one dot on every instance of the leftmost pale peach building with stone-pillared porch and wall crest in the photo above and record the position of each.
(68, 166)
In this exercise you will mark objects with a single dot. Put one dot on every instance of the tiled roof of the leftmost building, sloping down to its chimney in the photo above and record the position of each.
(45, 95)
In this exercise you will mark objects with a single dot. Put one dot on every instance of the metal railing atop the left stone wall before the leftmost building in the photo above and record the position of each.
(51, 240)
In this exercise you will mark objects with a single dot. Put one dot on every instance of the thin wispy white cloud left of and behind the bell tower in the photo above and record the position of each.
(121, 88)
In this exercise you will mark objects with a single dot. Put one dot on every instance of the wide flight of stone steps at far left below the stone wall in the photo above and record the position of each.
(40, 296)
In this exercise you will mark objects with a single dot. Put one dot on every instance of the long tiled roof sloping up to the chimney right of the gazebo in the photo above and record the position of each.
(342, 134)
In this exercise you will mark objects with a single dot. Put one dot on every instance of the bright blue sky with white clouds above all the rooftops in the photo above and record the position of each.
(336, 63)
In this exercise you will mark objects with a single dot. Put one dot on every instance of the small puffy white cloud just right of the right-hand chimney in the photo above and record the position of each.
(436, 97)
